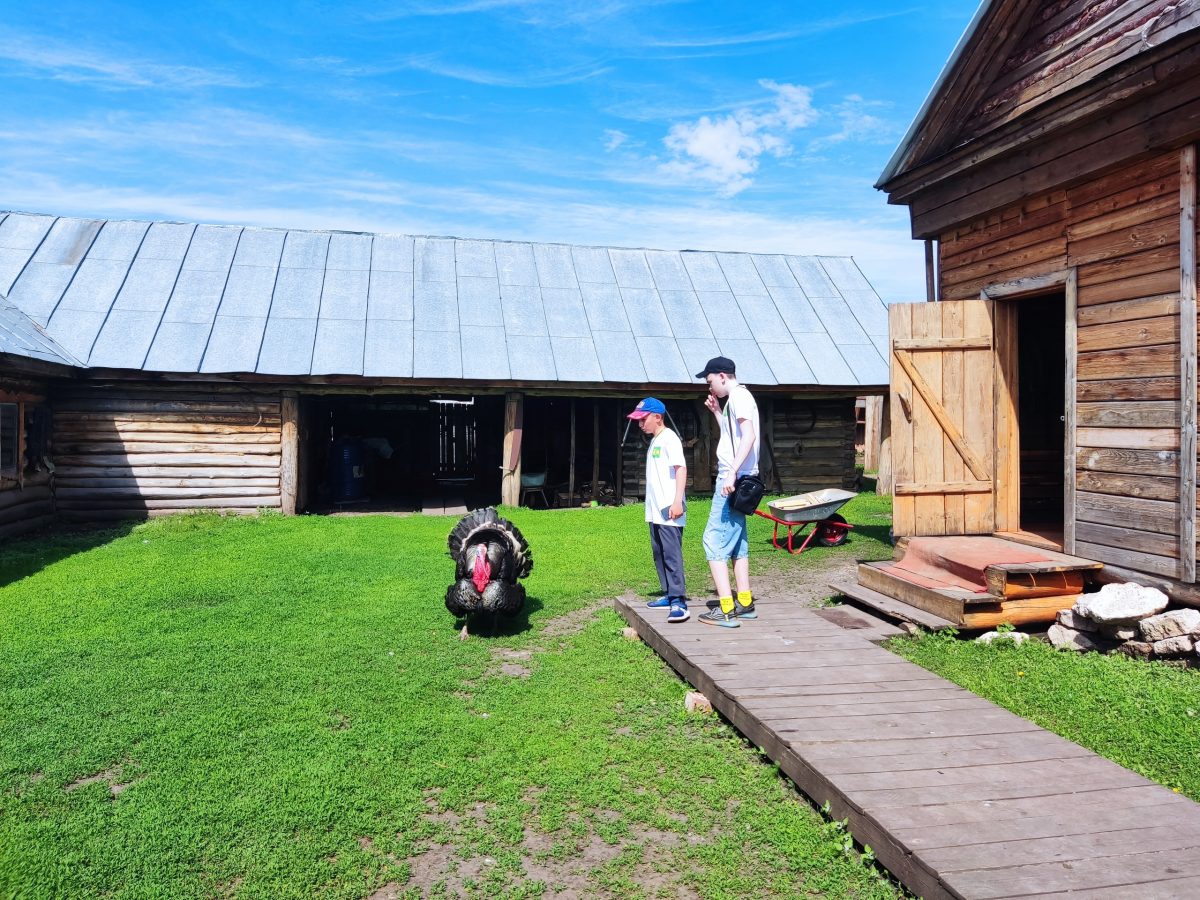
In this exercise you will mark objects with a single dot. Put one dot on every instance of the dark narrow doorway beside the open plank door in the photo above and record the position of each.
(1041, 409)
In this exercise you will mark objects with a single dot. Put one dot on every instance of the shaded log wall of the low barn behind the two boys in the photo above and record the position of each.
(812, 447)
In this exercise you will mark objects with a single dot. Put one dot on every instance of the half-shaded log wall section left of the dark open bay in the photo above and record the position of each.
(130, 453)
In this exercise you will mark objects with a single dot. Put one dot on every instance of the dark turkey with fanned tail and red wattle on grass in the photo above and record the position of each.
(490, 556)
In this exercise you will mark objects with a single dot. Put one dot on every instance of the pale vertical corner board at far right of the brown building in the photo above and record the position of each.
(1189, 364)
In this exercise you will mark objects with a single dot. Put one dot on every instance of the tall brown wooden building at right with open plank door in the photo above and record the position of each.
(1053, 178)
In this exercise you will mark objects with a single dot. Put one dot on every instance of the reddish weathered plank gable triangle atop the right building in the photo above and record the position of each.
(1067, 44)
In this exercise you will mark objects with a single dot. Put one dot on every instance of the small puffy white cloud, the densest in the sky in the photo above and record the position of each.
(725, 151)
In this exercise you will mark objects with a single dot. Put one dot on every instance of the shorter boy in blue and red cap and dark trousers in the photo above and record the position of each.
(667, 477)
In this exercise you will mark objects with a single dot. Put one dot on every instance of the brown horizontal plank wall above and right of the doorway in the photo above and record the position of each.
(1123, 235)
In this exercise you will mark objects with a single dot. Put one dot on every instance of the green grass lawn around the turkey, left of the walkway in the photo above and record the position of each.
(280, 707)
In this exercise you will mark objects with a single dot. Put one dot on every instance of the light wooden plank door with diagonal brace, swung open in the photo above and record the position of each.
(944, 418)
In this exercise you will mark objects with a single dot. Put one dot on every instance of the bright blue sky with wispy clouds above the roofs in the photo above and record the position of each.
(677, 125)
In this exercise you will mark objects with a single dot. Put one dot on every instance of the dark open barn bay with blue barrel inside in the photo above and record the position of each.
(400, 454)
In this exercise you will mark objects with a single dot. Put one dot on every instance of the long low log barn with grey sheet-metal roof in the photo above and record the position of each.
(152, 368)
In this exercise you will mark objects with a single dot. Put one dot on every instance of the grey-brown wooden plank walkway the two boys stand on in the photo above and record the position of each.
(958, 797)
